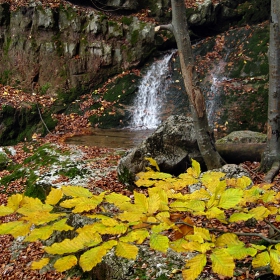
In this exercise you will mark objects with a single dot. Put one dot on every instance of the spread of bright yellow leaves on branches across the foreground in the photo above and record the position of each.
(166, 217)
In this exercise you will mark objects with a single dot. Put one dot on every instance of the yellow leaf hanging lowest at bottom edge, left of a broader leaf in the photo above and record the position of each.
(194, 267)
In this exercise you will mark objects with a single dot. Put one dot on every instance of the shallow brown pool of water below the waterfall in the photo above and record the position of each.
(111, 138)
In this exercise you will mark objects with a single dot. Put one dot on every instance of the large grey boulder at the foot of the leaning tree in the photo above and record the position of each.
(172, 145)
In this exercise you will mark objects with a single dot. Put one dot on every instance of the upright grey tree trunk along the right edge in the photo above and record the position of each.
(271, 157)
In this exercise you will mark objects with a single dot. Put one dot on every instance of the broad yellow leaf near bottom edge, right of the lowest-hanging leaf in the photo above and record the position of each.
(222, 262)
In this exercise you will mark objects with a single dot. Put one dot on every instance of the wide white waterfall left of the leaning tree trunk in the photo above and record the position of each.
(151, 94)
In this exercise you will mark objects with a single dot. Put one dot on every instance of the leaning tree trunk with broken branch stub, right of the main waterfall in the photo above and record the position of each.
(204, 134)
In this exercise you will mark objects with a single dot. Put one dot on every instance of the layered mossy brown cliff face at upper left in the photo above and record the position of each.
(65, 48)
